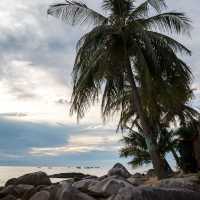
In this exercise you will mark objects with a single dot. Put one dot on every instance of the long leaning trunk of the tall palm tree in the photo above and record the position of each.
(157, 159)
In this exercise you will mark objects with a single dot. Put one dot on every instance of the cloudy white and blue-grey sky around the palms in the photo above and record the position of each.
(36, 59)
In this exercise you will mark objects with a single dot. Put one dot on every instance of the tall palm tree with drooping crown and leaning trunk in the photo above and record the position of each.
(124, 49)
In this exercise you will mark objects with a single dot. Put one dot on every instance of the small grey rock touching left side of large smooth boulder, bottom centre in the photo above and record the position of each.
(83, 185)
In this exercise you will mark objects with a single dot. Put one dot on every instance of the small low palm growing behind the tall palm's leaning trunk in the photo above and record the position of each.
(135, 146)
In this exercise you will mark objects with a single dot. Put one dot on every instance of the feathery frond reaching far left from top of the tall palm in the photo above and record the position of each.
(74, 12)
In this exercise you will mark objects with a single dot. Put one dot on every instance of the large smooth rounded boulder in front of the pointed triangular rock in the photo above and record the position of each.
(108, 187)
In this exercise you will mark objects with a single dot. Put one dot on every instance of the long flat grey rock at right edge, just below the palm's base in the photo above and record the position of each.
(190, 182)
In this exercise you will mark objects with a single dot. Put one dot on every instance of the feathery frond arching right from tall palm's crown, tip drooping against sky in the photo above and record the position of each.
(169, 22)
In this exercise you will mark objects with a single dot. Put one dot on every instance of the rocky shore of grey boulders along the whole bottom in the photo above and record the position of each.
(118, 184)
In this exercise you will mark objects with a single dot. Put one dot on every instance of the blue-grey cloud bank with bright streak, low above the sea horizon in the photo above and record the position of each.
(25, 142)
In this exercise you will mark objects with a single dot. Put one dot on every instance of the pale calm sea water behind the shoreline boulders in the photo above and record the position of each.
(14, 172)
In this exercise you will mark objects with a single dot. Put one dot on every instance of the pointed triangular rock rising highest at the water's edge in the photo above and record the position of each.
(119, 170)
